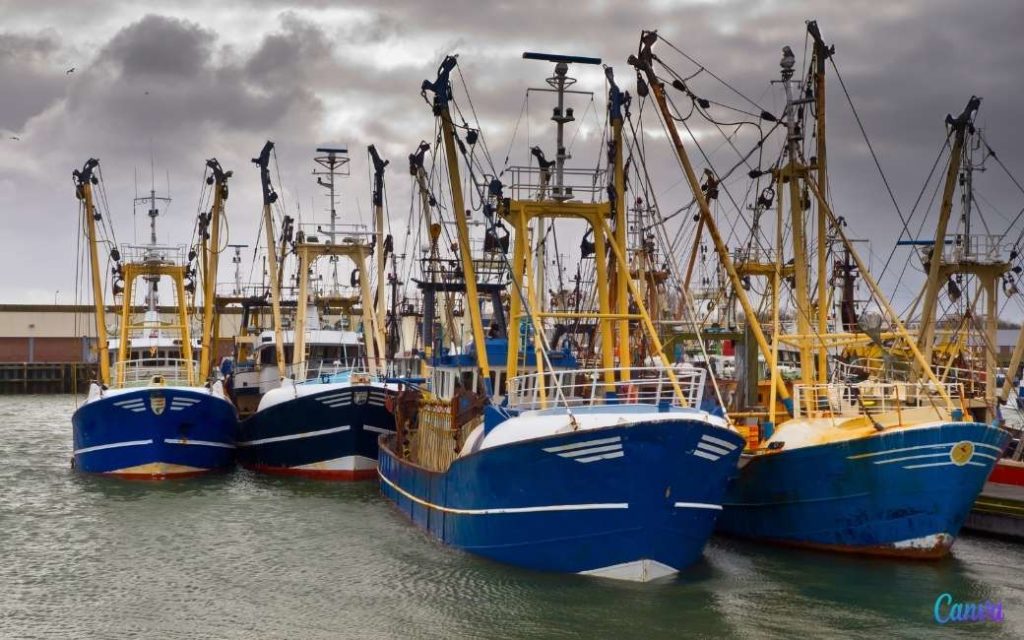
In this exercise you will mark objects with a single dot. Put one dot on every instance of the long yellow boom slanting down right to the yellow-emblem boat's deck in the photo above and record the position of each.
(644, 64)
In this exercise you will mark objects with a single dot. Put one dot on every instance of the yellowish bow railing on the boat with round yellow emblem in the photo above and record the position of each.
(837, 400)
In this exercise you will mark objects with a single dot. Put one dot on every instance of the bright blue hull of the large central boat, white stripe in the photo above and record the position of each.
(652, 501)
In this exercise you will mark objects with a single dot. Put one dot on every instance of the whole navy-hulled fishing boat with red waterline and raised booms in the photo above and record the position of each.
(329, 407)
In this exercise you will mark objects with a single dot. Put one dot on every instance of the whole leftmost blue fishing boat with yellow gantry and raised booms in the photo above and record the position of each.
(154, 412)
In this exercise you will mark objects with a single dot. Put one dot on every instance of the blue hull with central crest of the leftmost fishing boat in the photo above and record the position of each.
(155, 433)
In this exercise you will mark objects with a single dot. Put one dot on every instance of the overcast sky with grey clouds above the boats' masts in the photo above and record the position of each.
(192, 80)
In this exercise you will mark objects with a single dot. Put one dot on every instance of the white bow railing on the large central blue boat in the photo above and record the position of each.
(571, 389)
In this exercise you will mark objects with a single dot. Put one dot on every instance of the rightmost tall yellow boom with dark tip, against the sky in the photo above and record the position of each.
(960, 125)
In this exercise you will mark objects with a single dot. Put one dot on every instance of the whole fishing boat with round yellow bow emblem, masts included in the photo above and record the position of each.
(873, 467)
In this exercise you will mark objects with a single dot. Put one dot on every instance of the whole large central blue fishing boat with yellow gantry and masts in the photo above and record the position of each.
(611, 472)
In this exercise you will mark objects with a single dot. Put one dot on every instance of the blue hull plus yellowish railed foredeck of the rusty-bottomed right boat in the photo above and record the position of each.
(899, 482)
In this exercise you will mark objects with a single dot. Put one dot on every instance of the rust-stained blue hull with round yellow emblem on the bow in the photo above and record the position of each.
(895, 494)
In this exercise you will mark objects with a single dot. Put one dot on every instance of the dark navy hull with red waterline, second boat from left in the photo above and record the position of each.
(331, 435)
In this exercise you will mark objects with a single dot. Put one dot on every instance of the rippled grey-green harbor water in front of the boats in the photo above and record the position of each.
(240, 556)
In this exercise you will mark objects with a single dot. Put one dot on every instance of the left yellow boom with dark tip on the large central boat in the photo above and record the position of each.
(442, 90)
